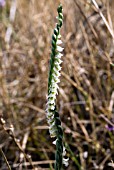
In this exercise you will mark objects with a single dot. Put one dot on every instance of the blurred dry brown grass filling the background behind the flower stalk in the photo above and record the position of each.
(86, 94)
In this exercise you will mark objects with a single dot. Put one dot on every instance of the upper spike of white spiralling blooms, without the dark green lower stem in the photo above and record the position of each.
(54, 72)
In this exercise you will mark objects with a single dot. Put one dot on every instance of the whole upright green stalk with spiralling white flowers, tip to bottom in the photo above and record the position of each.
(53, 119)
